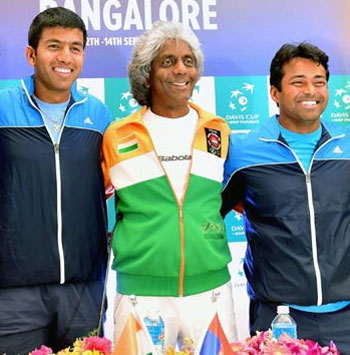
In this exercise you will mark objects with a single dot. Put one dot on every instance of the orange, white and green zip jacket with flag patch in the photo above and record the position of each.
(163, 246)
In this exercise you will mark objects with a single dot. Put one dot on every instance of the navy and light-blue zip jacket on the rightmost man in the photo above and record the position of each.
(297, 222)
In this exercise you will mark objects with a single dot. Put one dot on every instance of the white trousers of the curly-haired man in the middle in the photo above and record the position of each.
(184, 317)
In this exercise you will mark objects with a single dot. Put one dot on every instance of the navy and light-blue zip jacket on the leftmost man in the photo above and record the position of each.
(52, 201)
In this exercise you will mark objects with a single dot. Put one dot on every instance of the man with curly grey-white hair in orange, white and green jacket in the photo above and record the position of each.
(165, 163)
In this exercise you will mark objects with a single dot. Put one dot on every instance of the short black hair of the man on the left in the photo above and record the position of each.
(54, 17)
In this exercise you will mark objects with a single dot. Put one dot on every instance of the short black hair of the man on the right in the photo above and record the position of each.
(289, 51)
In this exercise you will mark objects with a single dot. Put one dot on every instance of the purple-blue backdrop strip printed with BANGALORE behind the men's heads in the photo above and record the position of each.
(239, 36)
